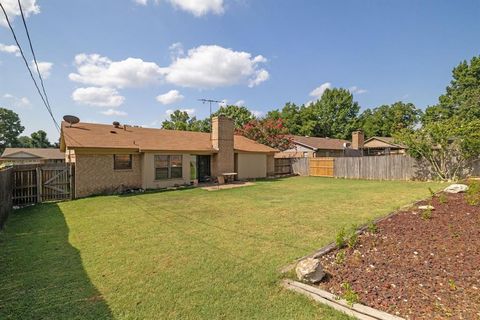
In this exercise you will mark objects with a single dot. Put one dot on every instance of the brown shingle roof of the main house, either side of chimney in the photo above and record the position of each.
(91, 135)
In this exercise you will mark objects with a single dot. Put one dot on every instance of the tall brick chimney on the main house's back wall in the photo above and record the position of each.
(222, 140)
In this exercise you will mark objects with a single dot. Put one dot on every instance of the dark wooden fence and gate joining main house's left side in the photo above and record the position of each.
(34, 183)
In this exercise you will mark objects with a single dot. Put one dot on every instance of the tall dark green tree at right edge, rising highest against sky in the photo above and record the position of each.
(462, 96)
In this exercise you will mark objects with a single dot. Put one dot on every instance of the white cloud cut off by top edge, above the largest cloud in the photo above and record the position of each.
(196, 7)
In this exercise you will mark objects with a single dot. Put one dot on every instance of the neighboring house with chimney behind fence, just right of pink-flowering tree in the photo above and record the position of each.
(313, 147)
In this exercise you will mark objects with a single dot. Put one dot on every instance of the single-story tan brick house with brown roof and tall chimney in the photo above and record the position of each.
(109, 158)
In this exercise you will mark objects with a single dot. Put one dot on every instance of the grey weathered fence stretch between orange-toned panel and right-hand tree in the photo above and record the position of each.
(393, 167)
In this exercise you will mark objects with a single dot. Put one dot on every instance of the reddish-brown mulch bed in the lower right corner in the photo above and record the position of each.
(414, 267)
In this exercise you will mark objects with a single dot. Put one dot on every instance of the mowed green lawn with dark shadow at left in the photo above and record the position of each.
(189, 254)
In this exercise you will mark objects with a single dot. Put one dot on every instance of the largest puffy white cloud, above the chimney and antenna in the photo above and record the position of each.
(214, 66)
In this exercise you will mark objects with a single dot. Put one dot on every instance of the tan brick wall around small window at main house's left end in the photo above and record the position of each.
(94, 174)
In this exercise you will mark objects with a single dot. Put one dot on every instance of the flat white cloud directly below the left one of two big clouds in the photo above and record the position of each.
(100, 97)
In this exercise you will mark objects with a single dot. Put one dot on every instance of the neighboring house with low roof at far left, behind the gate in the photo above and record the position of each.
(32, 156)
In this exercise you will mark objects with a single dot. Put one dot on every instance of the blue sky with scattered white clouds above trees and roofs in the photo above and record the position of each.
(135, 61)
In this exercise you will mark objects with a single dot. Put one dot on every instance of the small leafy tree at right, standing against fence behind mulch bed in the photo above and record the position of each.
(449, 146)
